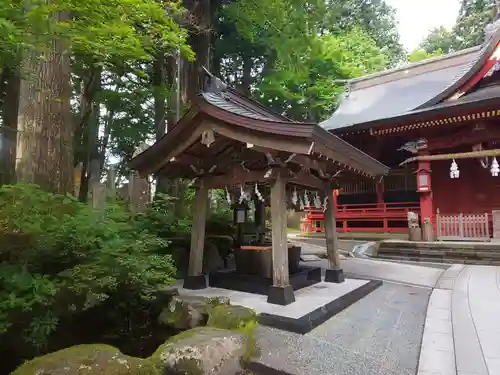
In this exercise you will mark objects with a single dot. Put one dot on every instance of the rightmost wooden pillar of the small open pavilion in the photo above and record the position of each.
(334, 273)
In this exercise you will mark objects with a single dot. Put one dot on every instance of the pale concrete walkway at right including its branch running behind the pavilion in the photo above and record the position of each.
(461, 334)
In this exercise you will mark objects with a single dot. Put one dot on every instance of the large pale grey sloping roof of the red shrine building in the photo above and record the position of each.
(408, 88)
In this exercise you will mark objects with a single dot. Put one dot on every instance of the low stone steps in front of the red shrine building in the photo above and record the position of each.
(480, 253)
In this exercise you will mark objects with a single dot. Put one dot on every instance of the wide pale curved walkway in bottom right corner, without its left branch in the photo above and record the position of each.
(461, 332)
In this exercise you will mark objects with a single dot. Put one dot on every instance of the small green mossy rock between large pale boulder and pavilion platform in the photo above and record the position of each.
(227, 316)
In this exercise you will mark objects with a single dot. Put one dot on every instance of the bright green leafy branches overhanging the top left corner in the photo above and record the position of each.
(107, 31)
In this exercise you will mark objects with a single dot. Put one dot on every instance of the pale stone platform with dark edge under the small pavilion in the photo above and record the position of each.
(313, 304)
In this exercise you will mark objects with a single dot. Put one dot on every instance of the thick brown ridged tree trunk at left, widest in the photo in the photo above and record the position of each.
(45, 130)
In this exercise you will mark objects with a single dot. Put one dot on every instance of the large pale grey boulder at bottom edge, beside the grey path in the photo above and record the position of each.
(203, 351)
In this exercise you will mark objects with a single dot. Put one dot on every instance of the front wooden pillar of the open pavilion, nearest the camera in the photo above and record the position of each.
(281, 292)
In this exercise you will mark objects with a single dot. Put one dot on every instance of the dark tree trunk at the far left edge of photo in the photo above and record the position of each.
(10, 101)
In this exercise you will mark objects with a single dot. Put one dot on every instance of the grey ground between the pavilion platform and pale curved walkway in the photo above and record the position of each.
(381, 334)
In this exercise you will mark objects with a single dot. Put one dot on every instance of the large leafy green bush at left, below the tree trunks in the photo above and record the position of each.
(60, 258)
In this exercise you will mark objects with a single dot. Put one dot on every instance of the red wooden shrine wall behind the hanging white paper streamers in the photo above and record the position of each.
(476, 191)
